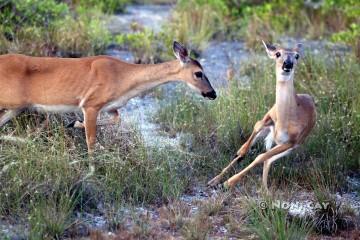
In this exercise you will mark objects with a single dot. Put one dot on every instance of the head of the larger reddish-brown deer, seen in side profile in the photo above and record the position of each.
(192, 72)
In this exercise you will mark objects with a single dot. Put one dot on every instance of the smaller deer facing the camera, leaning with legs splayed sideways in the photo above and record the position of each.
(287, 123)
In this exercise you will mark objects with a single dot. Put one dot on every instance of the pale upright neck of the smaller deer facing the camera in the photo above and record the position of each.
(285, 101)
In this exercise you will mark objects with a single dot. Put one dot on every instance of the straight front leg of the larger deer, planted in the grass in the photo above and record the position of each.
(90, 116)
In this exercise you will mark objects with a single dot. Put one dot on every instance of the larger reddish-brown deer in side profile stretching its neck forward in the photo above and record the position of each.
(92, 84)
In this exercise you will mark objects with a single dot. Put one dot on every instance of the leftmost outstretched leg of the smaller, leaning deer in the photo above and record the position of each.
(244, 148)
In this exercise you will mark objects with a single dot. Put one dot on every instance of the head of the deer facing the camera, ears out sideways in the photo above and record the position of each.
(285, 58)
